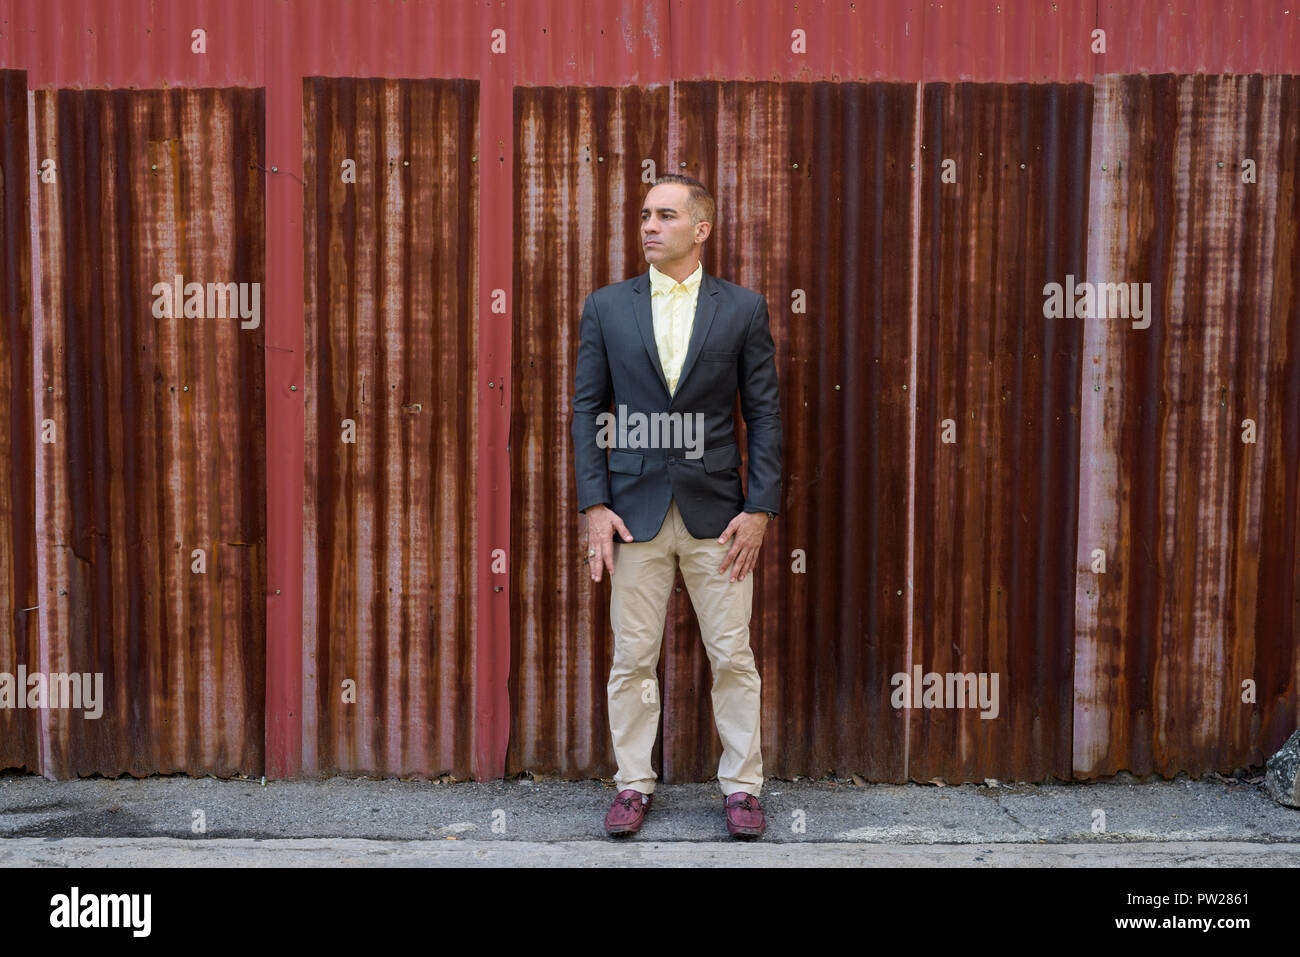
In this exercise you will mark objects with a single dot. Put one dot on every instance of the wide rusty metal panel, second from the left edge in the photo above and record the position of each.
(154, 438)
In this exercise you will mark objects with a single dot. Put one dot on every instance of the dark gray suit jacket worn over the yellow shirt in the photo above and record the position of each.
(618, 361)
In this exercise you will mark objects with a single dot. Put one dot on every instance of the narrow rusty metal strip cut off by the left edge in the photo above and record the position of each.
(20, 730)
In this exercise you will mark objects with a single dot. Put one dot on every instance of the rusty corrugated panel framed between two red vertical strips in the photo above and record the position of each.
(392, 331)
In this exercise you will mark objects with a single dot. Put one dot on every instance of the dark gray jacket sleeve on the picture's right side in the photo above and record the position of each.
(761, 406)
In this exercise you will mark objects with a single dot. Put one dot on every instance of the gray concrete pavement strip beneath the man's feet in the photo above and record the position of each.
(354, 821)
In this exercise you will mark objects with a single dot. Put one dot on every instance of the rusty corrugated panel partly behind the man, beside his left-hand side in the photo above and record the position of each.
(579, 157)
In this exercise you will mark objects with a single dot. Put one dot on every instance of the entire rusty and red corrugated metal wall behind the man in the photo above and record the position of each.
(822, 128)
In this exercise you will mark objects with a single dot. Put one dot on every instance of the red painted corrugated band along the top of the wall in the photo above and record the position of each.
(85, 44)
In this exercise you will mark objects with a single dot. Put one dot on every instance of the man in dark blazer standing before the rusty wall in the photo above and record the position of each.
(673, 347)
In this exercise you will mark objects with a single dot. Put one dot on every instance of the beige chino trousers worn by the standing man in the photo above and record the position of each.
(639, 608)
